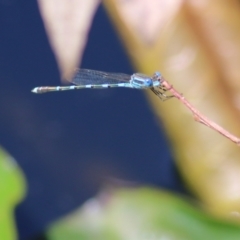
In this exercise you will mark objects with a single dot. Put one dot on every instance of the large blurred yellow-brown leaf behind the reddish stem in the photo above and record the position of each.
(196, 46)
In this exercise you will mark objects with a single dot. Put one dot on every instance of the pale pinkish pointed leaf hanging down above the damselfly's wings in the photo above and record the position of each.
(67, 24)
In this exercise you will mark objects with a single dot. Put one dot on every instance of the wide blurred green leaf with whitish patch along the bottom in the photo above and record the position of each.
(136, 214)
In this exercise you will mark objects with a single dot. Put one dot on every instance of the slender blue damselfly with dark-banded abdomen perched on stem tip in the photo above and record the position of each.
(86, 78)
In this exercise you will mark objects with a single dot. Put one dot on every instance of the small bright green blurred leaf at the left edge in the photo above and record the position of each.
(12, 191)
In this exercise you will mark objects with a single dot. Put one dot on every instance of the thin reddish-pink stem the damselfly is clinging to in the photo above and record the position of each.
(199, 117)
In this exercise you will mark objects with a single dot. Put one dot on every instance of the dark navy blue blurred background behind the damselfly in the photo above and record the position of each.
(70, 144)
